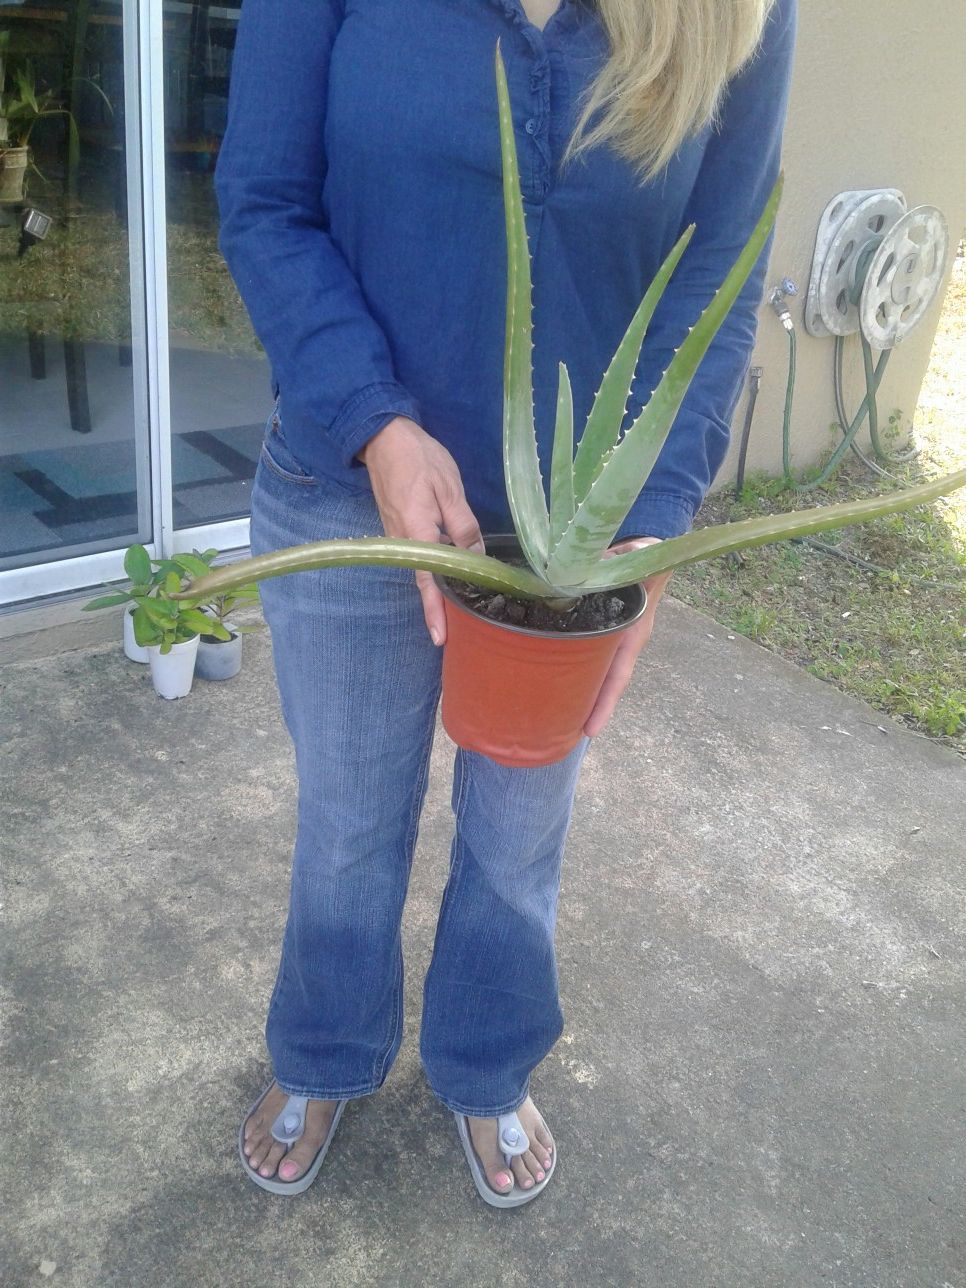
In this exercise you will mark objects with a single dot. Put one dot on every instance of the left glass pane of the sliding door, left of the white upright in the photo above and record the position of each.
(75, 467)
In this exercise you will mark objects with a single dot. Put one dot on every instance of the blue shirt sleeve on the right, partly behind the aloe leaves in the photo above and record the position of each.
(737, 175)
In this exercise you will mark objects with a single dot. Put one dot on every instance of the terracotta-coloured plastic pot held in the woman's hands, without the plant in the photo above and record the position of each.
(520, 696)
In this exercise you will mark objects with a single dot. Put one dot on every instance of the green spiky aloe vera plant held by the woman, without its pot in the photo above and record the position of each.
(592, 490)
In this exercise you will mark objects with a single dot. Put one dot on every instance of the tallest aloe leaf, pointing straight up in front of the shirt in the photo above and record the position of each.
(525, 485)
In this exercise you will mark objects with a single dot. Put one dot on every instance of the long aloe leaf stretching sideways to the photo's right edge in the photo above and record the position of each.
(724, 538)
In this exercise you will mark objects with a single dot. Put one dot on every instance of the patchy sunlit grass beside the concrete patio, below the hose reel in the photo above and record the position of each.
(896, 638)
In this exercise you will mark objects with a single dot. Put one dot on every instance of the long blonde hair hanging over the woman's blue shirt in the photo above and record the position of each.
(670, 62)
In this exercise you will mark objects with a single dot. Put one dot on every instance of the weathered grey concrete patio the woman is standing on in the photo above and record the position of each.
(762, 960)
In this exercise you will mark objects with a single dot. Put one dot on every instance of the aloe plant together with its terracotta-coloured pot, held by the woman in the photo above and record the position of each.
(518, 694)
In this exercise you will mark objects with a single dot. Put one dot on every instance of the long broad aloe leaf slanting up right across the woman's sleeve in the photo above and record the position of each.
(628, 467)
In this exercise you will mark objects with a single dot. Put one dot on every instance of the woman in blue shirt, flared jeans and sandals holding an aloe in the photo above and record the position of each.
(363, 220)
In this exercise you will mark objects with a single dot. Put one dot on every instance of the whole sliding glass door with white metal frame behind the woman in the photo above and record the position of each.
(132, 388)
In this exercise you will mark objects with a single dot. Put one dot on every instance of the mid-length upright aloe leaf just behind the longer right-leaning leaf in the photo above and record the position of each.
(603, 426)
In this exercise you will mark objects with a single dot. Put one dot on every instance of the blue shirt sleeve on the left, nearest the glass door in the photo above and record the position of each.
(330, 360)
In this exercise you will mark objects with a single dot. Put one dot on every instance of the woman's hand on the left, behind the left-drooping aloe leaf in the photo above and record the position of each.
(419, 494)
